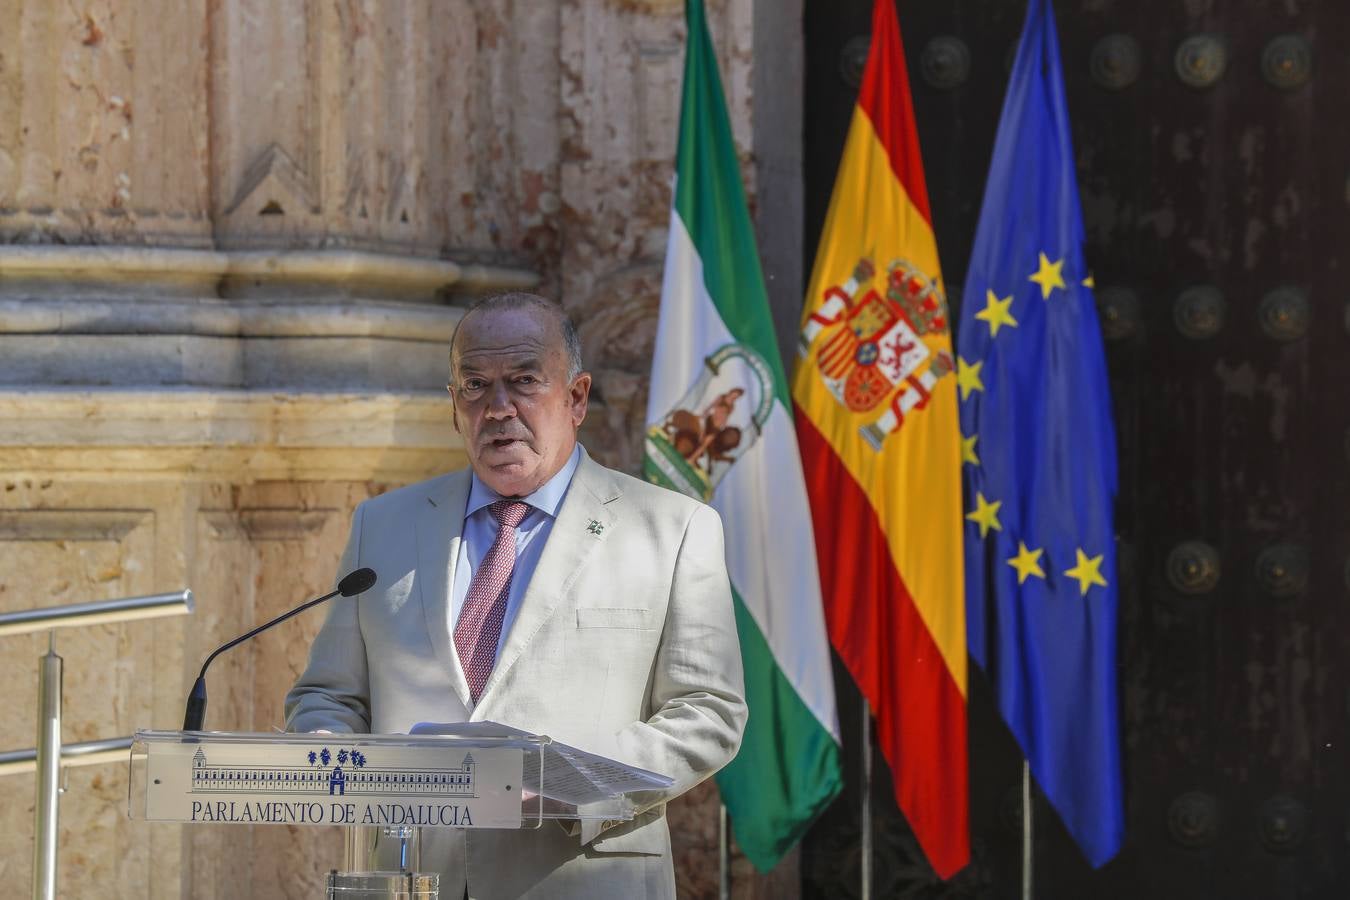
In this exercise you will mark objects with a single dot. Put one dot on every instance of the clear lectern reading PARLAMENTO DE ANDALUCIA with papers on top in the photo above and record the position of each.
(384, 789)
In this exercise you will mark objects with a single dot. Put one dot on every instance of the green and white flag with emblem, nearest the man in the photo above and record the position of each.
(720, 430)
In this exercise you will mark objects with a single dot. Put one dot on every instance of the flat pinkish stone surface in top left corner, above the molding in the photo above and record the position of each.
(103, 122)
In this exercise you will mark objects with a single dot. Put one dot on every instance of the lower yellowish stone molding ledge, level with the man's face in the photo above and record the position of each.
(244, 437)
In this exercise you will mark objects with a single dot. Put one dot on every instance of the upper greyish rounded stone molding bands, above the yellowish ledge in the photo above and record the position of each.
(292, 322)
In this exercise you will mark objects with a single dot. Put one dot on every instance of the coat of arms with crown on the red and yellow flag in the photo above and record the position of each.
(869, 345)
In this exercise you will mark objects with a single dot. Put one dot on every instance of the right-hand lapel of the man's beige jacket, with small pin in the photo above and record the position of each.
(585, 522)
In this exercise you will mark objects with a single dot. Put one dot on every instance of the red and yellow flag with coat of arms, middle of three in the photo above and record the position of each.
(877, 420)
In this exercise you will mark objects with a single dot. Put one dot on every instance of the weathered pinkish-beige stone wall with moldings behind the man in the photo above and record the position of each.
(236, 237)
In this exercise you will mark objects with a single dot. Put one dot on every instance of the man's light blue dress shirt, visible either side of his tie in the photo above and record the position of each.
(531, 536)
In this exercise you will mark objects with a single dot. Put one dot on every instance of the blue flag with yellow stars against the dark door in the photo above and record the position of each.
(1040, 465)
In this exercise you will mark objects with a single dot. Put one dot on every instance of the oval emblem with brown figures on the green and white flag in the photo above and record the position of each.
(715, 423)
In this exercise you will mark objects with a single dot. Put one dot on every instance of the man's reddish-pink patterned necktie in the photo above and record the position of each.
(480, 623)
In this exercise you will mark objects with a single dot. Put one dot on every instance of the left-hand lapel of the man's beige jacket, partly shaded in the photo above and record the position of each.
(441, 524)
